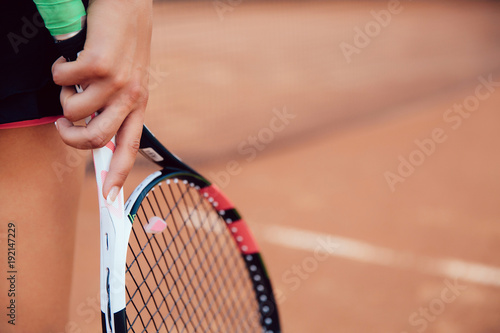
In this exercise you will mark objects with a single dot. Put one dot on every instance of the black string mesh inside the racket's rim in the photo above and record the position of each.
(191, 277)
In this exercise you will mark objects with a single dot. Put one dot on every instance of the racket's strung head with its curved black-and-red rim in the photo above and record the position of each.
(202, 271)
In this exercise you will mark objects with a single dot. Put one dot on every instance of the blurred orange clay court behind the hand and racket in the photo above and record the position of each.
(360, 141)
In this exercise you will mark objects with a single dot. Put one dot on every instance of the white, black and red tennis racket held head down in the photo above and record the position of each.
(177, 256)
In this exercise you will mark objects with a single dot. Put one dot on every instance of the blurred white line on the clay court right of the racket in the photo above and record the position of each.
(348, 248)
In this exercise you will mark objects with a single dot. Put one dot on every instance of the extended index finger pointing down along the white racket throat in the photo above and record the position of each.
(127, 145)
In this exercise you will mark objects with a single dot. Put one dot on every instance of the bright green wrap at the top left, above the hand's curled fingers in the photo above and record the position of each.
(61, 16)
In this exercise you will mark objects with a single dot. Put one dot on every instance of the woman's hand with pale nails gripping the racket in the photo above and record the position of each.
(113, 70)
